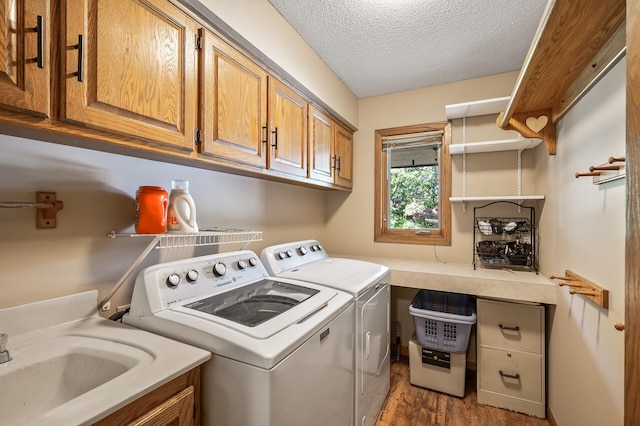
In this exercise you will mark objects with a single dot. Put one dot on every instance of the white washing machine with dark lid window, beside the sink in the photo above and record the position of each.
(282, 350)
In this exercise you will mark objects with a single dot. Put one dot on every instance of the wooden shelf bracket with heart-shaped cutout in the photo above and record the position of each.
(533, 124)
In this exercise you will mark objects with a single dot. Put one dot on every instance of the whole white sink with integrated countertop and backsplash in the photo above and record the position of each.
(69, 366)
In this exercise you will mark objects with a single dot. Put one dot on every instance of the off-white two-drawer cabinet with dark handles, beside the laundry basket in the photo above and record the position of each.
(511, 356)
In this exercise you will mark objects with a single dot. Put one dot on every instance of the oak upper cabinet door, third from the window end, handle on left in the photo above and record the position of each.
(288, 138)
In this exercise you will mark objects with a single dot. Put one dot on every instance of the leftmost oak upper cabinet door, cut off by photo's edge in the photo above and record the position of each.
(24, 55)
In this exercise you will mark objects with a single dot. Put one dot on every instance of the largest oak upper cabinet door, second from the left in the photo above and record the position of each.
(131, 69)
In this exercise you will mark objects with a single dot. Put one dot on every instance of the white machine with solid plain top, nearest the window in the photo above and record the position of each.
(368, 284)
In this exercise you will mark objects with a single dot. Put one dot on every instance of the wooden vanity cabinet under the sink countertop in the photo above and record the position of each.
(175, 403)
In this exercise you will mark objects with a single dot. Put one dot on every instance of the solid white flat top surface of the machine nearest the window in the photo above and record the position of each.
(349, 275)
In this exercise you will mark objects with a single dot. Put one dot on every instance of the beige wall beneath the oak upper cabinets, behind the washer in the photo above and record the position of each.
(98, 191)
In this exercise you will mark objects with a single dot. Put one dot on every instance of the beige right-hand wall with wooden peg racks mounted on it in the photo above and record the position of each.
(582, 228)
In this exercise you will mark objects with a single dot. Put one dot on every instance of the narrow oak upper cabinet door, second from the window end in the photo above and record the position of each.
(321, 136)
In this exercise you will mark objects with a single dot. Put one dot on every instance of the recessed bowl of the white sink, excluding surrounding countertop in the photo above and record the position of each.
(47, 374)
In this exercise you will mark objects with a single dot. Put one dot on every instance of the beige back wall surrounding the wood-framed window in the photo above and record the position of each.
(350, 218)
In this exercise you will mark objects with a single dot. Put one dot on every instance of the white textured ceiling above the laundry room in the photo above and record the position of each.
(378, 47)
